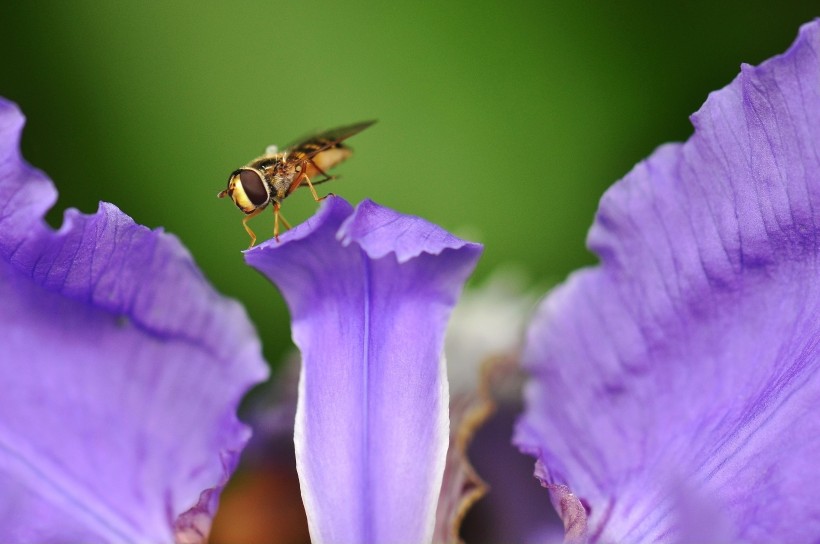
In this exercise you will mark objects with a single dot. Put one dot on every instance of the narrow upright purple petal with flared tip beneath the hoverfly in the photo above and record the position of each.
(369, 292)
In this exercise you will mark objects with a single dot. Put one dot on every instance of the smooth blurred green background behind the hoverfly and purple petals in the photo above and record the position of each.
(502, 122)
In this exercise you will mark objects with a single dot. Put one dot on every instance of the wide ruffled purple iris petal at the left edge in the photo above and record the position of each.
(121, 370)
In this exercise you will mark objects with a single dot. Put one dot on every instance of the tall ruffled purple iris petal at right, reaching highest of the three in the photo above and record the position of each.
(675, 388)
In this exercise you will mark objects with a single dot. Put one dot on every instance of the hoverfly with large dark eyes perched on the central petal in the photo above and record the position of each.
(275, 175)
